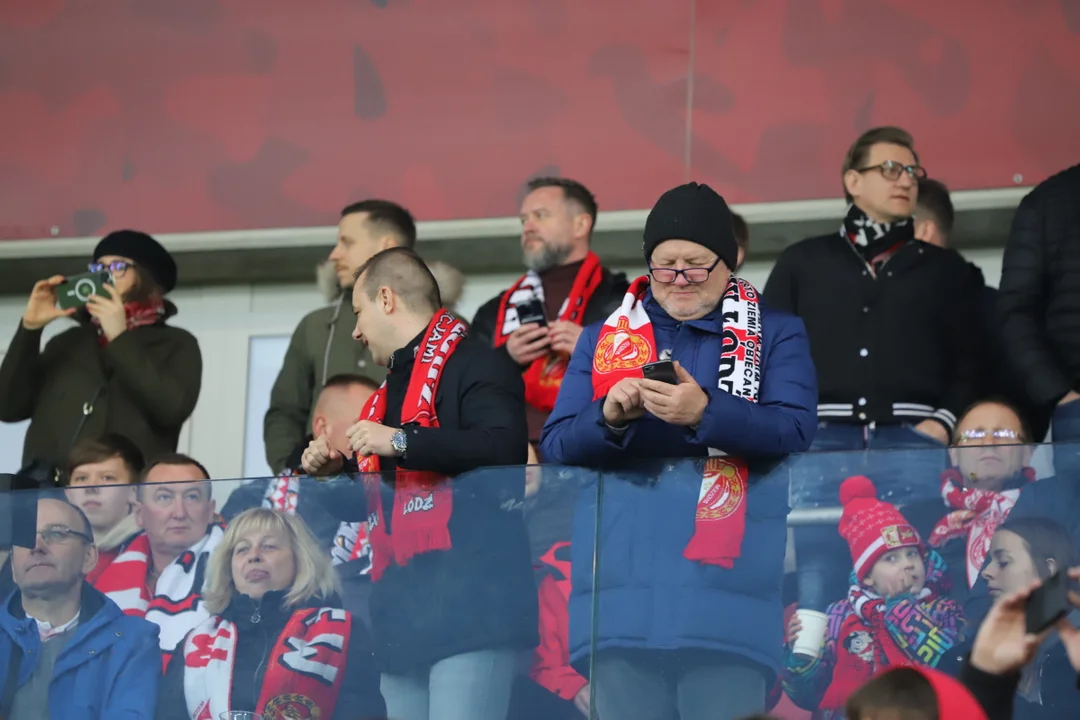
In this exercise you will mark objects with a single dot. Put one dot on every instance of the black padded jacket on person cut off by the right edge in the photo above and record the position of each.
(1039, 300)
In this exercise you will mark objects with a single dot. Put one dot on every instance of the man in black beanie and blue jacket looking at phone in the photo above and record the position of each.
(692, 563)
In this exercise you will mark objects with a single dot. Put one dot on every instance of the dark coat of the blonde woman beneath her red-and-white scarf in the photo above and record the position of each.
(359, 698)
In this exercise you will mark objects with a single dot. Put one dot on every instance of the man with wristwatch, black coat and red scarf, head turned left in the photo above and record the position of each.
(454, 600)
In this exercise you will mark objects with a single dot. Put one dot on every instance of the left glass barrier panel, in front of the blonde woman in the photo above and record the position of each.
(295, 597)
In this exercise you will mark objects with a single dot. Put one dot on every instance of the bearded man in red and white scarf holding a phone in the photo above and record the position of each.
(538, 321)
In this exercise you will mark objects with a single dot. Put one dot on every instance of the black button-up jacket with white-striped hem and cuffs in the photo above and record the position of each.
(901, 347)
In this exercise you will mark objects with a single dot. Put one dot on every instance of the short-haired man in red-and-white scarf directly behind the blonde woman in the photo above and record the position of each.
(159, 576)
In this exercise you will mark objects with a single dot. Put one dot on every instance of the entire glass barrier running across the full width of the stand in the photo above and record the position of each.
(545, 592)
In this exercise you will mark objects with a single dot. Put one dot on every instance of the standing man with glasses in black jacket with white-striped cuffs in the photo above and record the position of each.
(894, 336)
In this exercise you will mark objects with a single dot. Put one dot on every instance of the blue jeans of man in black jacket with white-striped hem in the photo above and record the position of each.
(904, 465)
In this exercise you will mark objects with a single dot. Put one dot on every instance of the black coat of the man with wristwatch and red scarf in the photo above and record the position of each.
(480, 594)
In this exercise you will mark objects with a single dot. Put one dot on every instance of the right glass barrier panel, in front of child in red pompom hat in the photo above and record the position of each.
(721, 589)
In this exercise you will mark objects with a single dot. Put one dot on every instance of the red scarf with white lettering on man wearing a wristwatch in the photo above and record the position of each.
(424, 500)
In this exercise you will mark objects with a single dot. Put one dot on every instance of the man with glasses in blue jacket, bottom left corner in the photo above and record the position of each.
(67, 653)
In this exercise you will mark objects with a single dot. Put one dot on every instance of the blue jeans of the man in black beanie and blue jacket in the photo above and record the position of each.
(680, 685)
